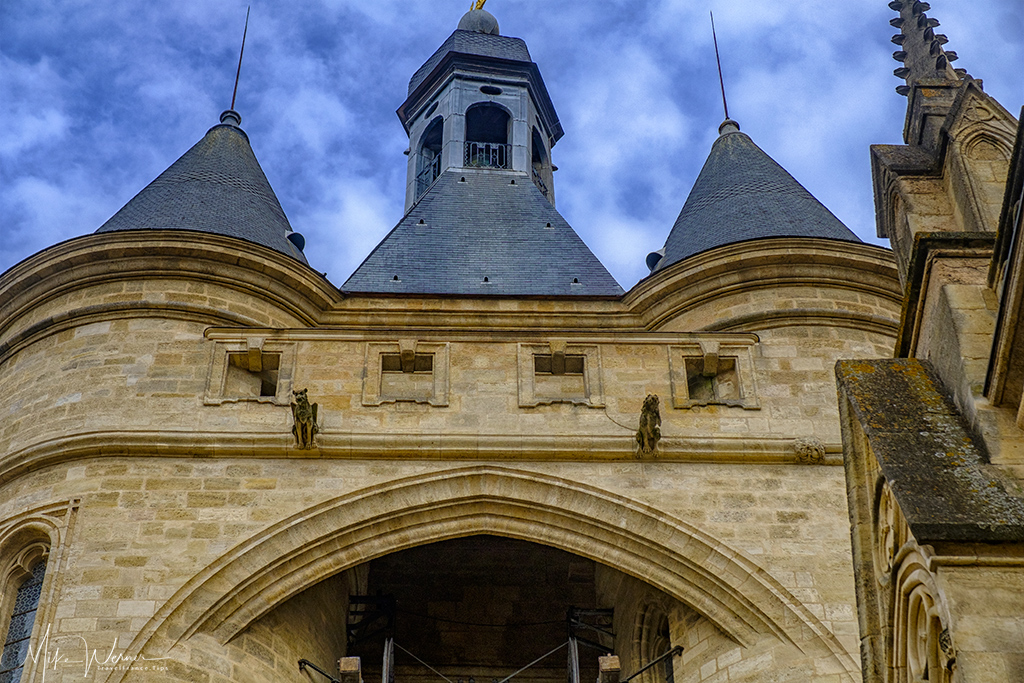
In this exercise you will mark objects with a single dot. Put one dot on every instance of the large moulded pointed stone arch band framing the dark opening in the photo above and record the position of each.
(264, 572)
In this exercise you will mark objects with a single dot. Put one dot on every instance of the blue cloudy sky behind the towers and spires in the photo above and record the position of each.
(99, 99)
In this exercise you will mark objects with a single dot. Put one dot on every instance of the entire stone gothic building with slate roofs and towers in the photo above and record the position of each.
(480, 457)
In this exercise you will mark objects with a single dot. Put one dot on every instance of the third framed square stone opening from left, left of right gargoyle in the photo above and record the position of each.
(561, 373)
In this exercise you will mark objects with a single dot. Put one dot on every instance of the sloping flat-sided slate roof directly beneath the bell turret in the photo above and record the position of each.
(483, 233)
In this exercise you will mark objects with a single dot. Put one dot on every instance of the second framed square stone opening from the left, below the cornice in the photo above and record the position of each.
(406, 371)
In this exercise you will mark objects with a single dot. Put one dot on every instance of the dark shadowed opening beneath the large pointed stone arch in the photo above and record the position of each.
(480, 609)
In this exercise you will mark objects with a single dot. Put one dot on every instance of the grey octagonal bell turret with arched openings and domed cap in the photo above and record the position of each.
(479, 103)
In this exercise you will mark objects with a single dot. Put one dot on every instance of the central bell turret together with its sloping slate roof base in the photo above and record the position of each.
(481, 217)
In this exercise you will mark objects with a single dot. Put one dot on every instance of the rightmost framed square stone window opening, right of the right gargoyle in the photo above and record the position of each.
(713, 373)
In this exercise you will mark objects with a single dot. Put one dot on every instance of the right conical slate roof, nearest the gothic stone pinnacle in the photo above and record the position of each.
(742, 194)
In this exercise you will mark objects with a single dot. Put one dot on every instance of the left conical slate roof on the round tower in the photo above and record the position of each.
(218, 187)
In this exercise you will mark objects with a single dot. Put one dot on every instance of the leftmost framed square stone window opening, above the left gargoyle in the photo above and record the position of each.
(251, 369)
